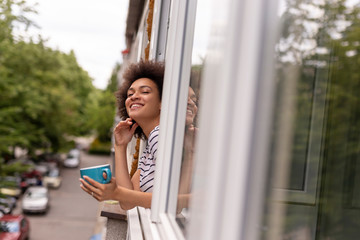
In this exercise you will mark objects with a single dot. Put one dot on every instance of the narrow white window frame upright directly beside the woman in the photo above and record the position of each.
(175, 89)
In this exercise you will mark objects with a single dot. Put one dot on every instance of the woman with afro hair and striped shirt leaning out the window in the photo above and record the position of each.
(139, 104)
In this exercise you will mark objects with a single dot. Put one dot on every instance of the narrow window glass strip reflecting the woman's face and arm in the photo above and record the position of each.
(202, 28)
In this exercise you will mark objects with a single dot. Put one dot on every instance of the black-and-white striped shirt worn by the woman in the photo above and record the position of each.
(147, 162)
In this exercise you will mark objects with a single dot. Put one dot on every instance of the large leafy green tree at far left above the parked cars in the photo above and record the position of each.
(44, 94)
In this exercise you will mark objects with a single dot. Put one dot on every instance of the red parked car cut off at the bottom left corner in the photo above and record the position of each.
(14, 227)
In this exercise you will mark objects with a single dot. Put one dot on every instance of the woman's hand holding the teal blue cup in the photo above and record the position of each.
(100, 192)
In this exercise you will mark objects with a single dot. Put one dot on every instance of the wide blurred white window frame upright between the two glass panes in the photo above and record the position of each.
(233, 150)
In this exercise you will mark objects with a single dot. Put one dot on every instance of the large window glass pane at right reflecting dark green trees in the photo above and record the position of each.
(313, 190)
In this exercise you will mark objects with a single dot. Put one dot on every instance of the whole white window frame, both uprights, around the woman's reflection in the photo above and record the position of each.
(242, 61)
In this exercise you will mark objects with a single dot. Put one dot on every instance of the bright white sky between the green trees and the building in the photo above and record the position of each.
(94, 30)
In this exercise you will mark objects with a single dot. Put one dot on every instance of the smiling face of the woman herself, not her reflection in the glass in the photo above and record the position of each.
(143, 101)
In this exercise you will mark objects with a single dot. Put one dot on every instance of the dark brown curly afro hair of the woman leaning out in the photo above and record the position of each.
(143, 69)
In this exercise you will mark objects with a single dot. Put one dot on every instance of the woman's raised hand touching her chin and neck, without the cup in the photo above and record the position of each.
(124, 131)
